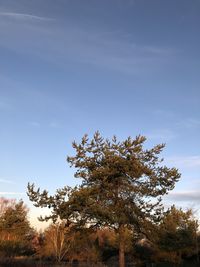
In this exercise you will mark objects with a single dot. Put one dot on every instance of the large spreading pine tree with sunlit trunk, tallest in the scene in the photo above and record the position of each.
(122, 185)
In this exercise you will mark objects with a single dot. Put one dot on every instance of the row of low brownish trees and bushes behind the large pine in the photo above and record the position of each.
(174, 240)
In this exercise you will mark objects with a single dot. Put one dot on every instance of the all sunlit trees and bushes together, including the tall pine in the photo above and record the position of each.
(113, 218)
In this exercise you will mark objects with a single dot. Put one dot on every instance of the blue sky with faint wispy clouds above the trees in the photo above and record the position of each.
(123, 67)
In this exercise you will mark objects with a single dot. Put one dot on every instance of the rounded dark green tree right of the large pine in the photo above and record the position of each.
(177, 235)
